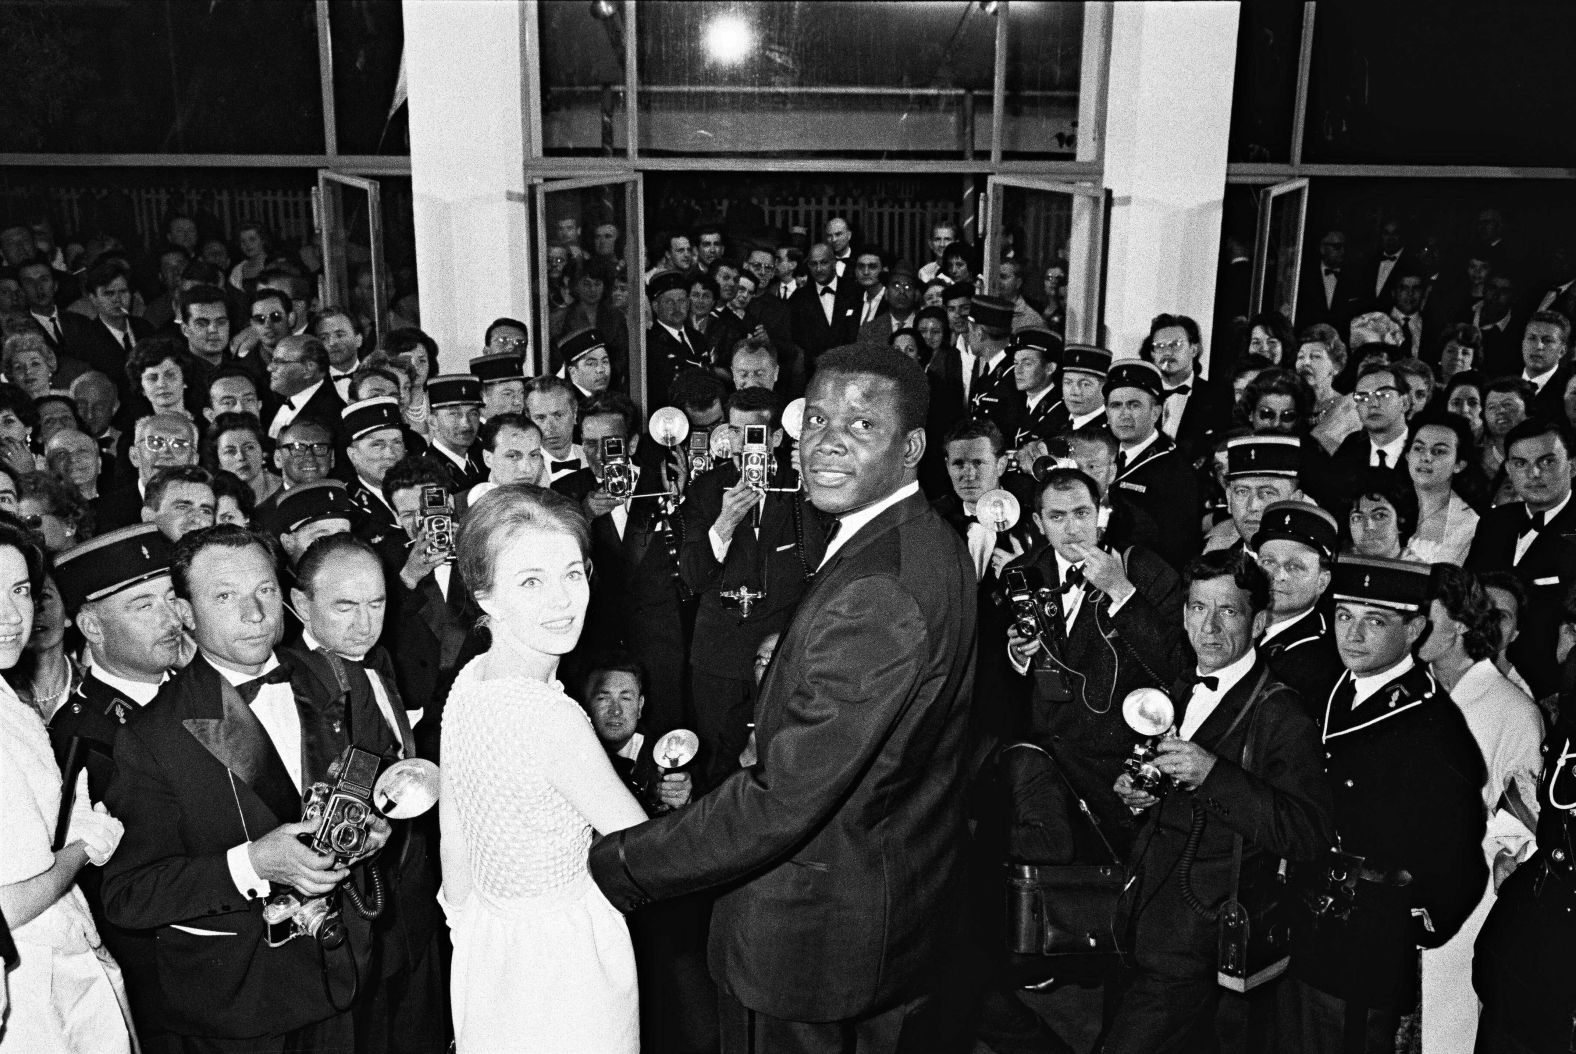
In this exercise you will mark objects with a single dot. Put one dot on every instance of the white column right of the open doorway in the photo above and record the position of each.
(1169, 114)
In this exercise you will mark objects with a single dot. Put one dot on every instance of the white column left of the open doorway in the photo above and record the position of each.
(469, 127)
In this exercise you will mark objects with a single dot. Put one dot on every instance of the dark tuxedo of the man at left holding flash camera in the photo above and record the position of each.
(196, 776)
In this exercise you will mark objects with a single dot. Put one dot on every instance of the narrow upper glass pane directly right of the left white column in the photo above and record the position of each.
(582, 78)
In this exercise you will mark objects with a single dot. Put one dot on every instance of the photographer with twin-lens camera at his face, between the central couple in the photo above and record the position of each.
(749, 552)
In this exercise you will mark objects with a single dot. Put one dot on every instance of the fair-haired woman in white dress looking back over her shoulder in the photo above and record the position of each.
(543, 962)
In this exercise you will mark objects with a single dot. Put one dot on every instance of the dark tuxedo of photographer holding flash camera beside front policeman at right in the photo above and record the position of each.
(1263, 801)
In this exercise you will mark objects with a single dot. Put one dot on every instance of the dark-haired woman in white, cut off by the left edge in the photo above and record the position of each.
(67, 995)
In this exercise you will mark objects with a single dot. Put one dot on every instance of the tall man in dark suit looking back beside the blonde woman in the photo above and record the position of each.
(849, 833)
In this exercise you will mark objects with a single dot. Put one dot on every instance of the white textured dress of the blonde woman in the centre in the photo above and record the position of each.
(543, 962)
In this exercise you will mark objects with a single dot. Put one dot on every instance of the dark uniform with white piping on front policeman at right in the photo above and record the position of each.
(1422, 815)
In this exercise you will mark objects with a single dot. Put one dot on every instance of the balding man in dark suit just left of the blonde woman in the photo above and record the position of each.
(348, 696)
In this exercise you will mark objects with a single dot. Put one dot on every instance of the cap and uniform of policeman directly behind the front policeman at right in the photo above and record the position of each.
(1303, 651)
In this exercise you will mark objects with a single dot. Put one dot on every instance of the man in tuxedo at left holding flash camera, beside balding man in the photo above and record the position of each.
(210, 787)
